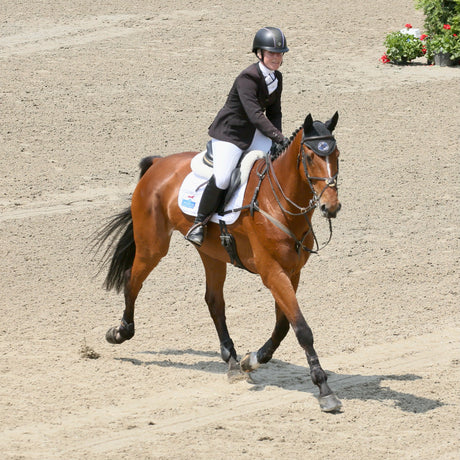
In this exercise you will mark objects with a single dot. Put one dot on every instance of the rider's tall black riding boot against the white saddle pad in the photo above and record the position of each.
(210, 201)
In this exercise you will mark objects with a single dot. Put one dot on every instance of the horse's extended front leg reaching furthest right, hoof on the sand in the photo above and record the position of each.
(283, 291)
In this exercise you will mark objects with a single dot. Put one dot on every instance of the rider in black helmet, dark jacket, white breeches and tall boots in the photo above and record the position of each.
(249, 120)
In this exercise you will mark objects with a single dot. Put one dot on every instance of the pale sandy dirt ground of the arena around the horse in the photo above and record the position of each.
(89, 88)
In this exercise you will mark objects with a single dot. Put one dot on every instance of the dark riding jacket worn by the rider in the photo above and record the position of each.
(249, 107)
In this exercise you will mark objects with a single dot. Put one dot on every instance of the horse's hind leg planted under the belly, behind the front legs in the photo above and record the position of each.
(216, 272)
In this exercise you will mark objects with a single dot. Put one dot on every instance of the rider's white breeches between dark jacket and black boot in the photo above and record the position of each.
(226, 156)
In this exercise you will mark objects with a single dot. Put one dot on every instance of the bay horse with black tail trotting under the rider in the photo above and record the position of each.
(273, 235)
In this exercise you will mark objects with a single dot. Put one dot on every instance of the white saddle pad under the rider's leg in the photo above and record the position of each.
(193, 185)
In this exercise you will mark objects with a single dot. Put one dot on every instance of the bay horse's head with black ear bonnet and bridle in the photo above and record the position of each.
(320, 159)
